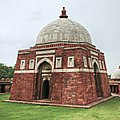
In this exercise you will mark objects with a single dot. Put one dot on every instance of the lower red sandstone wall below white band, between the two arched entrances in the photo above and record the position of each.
(73, 88)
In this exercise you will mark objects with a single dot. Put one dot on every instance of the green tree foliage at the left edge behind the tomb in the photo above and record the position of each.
(5, 71)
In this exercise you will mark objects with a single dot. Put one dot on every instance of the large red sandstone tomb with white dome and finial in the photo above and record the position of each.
(64, 67)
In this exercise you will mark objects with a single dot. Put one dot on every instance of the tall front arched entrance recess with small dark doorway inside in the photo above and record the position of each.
(43, 81)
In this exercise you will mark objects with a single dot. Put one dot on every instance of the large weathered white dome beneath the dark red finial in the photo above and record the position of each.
(63, 29)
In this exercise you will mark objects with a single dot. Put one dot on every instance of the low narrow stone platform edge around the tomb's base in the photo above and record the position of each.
(62, 105)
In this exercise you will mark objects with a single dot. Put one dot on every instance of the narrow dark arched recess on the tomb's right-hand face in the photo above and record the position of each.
(97, 81)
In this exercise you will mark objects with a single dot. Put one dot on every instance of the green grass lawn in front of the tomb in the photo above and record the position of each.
(109, 110)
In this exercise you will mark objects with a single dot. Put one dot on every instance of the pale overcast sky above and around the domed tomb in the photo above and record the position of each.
(22, 20)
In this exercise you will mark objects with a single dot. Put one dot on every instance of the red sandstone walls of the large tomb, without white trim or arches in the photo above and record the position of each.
(67, 87)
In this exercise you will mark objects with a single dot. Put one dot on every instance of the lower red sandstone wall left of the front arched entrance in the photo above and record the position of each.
(22, 87)
